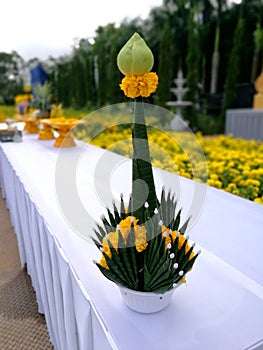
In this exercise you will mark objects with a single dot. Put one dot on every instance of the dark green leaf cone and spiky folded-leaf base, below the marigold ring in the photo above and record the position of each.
(167, 256)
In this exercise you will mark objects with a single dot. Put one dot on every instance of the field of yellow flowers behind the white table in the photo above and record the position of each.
(233, 165)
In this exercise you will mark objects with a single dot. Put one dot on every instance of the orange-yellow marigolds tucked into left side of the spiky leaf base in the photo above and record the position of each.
(125, 227)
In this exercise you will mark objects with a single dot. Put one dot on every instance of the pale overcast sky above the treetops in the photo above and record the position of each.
(48, 27)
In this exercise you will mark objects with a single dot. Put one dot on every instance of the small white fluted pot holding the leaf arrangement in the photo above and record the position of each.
(146, 302)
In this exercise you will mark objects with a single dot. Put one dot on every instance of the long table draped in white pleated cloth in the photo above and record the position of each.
(55, 196)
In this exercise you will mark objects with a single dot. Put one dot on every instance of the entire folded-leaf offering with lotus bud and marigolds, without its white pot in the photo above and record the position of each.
(143, 244)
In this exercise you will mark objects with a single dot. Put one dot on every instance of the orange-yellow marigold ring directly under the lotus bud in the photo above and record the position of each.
(139, 85)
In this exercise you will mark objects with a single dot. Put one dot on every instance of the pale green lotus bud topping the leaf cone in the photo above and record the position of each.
(135, 57)
